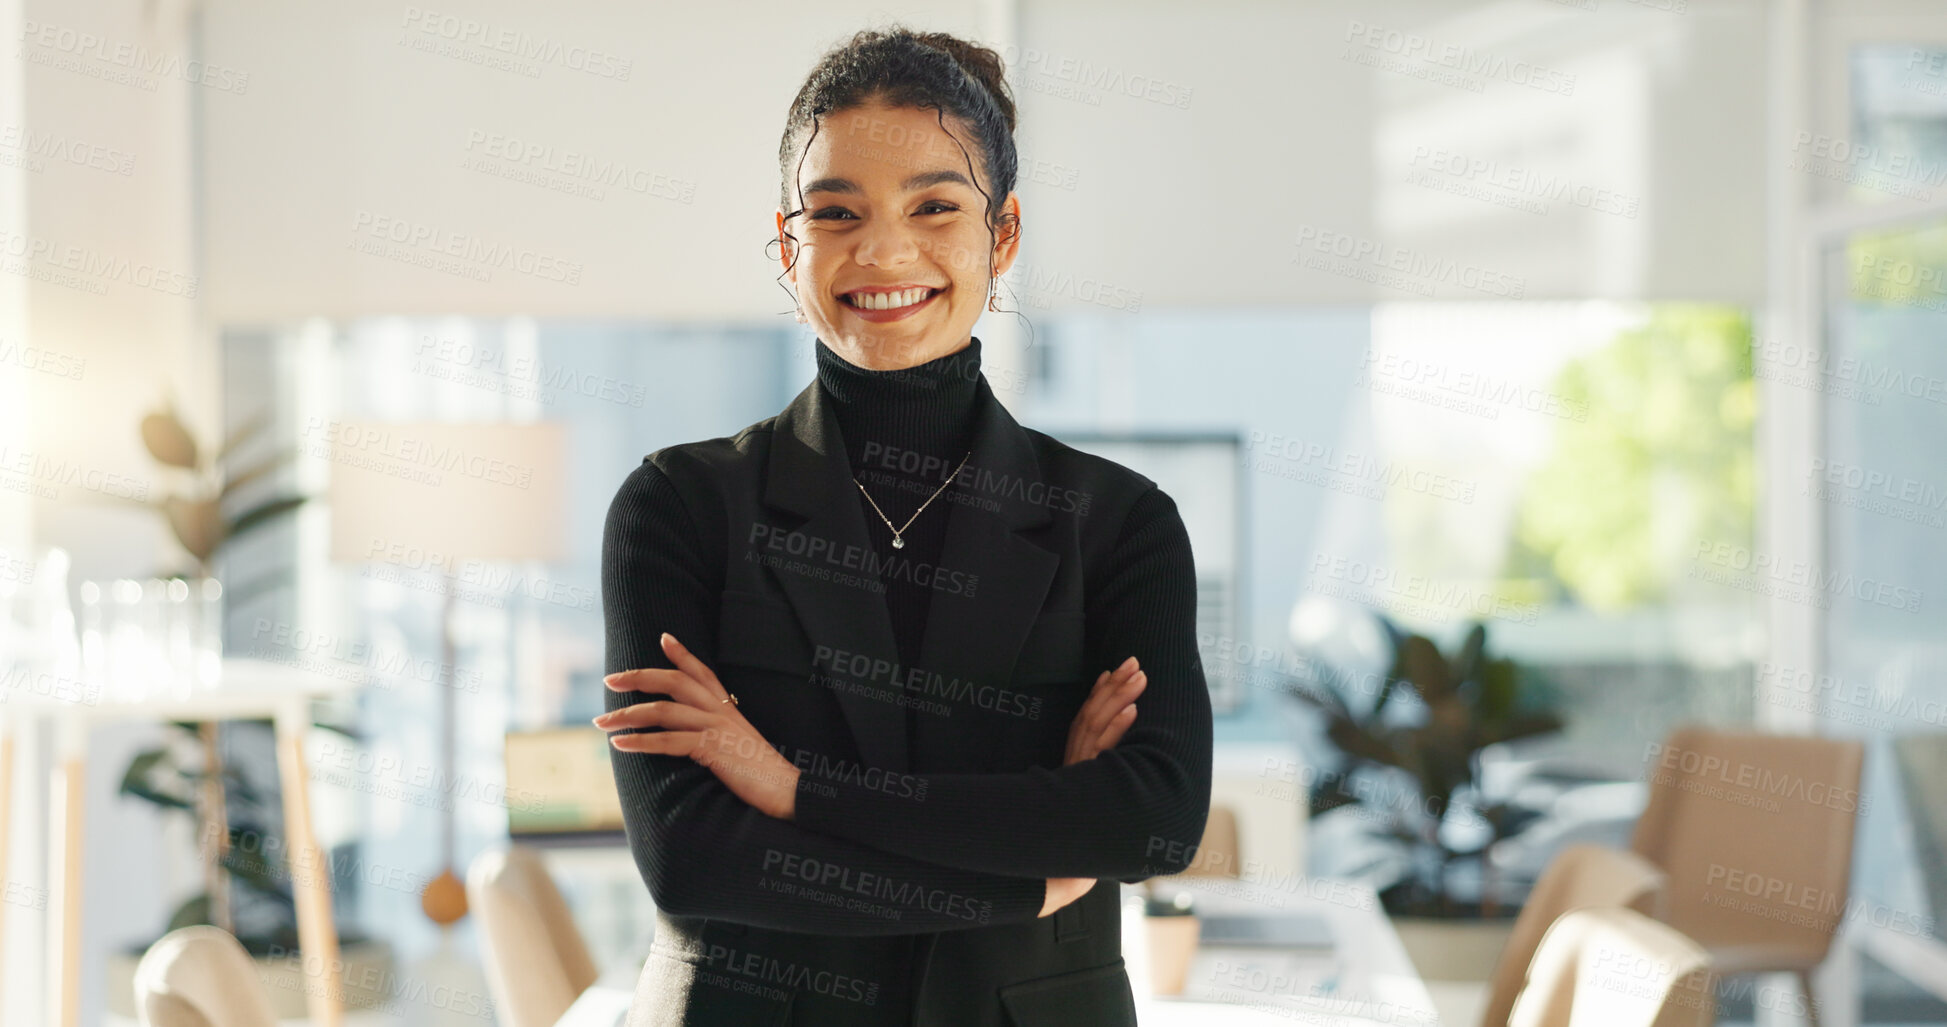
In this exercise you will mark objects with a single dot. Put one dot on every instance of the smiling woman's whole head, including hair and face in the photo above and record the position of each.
(902, 237)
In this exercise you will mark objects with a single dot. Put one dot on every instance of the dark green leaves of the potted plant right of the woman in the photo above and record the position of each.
(1409, 765)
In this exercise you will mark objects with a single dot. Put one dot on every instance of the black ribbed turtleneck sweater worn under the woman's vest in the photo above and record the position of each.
(663, 570)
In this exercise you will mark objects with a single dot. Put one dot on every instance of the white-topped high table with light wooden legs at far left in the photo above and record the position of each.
(244, 691)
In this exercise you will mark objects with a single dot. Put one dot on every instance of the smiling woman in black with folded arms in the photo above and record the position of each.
(850, 650)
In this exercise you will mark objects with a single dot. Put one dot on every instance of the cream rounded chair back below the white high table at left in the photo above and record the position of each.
(200, 977)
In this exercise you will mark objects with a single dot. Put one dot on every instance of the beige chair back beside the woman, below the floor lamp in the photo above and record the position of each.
(536, 960)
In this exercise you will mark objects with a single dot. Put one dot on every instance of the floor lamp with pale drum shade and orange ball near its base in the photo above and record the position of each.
(443, 498)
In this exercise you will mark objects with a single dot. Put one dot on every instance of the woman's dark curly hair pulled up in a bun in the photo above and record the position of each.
(910, 69)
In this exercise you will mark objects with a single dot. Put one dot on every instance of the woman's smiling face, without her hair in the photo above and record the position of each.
(893, 248)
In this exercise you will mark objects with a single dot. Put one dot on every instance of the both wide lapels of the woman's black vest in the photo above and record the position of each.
(974, 634)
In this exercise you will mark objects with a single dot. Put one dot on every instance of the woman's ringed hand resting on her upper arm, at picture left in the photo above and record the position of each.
(696, 722)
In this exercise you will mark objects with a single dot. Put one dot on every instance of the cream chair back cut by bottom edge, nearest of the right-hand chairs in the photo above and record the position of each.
(1613, 968)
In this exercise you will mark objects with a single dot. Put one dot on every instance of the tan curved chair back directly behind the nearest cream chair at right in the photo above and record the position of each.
(1576, 878)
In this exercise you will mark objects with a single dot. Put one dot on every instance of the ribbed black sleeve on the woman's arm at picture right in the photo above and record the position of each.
(1130, 814)
